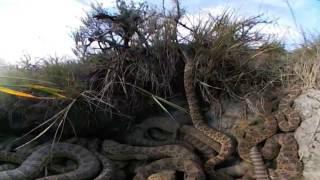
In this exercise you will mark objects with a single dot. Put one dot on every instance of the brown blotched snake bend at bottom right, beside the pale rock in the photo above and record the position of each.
(288, 164)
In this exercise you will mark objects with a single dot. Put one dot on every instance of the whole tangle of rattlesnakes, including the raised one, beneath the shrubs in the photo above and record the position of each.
(175, 157)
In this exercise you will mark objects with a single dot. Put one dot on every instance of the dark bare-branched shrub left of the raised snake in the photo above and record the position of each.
(141, 52)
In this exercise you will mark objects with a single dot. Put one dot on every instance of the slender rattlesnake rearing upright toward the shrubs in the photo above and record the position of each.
(227, 146)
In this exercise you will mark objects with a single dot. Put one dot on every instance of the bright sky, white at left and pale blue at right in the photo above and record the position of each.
(42, 28)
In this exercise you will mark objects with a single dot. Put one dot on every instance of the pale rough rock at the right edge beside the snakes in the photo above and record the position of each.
(308, 134)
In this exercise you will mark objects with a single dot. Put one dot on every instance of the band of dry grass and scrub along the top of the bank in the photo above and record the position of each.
(232, 60)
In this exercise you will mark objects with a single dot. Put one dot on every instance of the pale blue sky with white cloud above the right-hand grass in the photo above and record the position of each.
(306, 14)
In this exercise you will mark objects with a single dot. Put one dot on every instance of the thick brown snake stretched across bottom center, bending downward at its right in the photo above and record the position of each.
(172, 157)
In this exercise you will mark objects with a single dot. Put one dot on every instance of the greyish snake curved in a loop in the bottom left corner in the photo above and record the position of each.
(88, 165)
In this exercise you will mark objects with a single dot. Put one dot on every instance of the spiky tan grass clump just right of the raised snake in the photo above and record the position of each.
(231, 57)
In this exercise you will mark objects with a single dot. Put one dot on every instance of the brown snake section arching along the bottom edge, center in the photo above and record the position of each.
(191, 169)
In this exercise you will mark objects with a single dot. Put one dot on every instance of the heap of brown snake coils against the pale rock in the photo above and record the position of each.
(287, 119)
